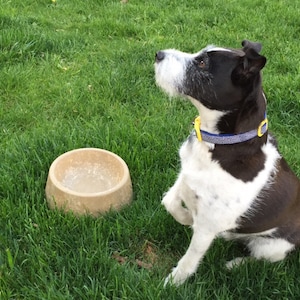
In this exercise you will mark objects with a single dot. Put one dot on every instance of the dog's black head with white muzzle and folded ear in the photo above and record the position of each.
(219, 78)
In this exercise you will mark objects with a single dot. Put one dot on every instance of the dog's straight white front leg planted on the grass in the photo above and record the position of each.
(188, 264)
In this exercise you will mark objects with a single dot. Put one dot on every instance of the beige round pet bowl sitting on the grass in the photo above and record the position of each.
(88, 181)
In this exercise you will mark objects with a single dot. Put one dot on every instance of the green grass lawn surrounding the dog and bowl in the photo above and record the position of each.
(80, 74)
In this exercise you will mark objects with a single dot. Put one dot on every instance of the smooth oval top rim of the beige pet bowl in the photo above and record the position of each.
(63, 188)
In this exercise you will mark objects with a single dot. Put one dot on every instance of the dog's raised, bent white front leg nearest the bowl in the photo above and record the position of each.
(172, 201)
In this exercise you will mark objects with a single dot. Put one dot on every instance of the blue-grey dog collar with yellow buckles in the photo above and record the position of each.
(226, 139)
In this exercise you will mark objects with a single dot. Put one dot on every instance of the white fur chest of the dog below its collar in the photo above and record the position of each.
(212, 192)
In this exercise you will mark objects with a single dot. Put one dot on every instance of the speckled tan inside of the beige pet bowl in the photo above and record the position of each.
(88, 171)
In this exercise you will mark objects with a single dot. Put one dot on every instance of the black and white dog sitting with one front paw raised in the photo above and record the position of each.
(233, 181)
